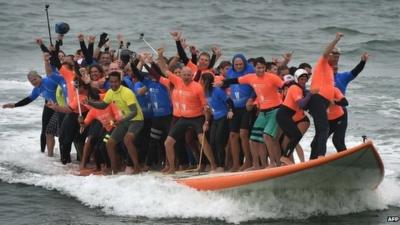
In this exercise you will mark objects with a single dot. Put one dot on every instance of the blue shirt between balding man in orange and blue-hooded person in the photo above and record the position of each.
(217, 101)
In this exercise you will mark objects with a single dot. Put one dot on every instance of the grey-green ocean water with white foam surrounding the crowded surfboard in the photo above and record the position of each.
(36, 189)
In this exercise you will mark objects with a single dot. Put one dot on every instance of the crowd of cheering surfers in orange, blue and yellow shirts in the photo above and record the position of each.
(134, 112)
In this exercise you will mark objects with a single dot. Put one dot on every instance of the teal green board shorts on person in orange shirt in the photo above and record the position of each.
(265, 124)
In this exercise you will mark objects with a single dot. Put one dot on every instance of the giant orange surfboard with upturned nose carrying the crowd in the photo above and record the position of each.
(360, 167)
